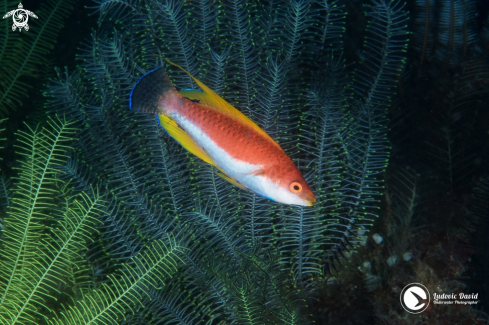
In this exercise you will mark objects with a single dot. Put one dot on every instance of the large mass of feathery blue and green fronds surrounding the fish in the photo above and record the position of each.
(147, 210)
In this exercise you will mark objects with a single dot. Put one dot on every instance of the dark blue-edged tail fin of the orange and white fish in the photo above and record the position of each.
(149, 90)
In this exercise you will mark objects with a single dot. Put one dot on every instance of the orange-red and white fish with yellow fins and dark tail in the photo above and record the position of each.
(216, 132)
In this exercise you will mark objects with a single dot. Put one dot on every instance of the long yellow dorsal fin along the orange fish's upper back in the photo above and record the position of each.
(210, 98)
